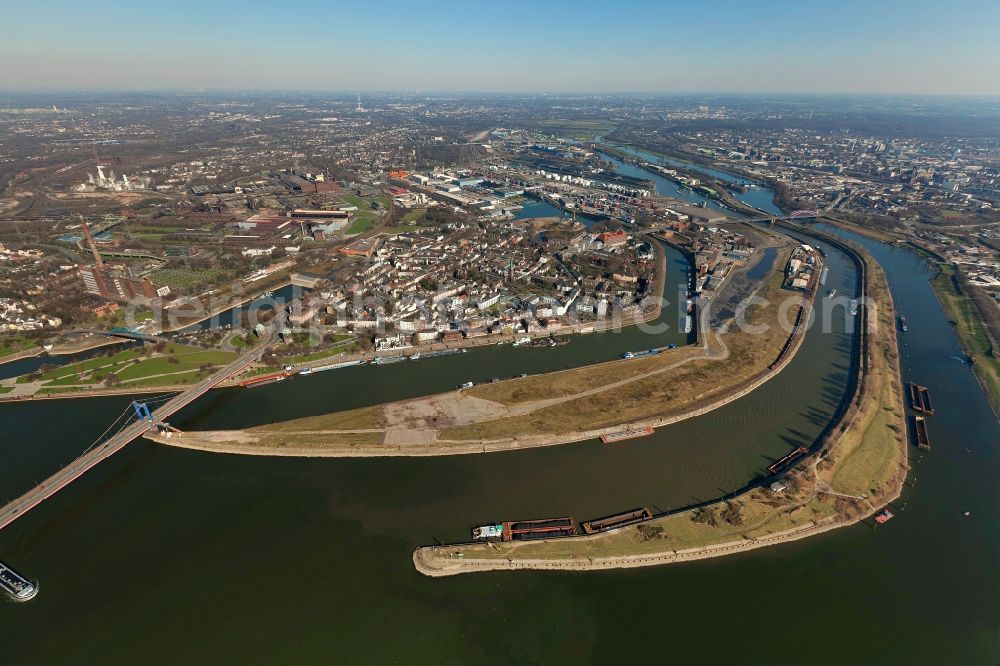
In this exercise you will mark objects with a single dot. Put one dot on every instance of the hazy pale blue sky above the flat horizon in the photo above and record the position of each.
(867, 46)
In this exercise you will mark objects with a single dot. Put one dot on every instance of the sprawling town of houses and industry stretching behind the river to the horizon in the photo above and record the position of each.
(422, 226)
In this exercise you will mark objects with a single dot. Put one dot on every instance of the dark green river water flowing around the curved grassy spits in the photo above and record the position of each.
(163, 555)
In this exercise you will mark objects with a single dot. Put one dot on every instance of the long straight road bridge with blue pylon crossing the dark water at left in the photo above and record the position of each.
(65, 476)
